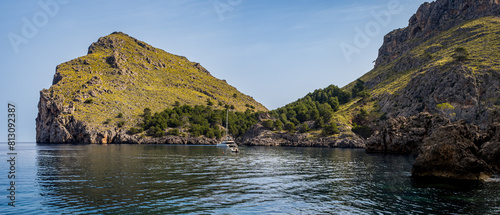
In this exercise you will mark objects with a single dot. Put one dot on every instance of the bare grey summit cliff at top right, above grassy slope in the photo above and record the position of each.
(430, 20)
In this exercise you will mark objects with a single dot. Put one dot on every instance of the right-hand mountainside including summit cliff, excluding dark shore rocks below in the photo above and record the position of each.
(445, 62)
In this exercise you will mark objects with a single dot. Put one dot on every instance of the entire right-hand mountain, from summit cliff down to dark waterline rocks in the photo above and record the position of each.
(436, 86)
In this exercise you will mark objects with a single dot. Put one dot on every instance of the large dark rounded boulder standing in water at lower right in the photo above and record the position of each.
(450, 152)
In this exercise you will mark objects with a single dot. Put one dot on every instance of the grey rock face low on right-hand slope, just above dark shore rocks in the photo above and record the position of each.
(473, 97)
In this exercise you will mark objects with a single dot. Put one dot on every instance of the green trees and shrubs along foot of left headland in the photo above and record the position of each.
(197, 120)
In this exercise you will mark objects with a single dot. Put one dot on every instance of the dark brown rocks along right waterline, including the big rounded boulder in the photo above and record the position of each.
(445, 149)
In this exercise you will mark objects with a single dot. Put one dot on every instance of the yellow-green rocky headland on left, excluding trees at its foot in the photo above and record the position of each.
(96, 98)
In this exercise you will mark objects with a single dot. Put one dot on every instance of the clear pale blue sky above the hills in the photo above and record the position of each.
(275, 51)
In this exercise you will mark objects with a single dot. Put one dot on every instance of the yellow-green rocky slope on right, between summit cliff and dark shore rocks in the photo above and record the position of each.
(455, 73)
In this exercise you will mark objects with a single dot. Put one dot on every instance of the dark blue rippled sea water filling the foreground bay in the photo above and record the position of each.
(166, 179)
